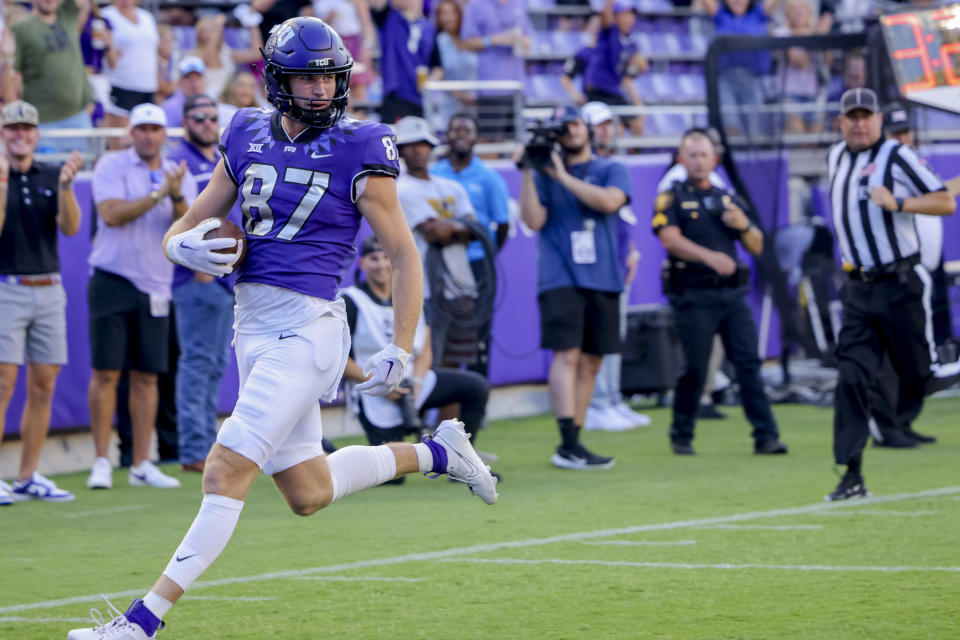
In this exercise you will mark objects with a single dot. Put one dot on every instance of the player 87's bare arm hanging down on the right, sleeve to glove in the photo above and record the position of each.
(381, 207)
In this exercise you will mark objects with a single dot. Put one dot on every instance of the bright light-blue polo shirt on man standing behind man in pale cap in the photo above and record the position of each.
(488, 195)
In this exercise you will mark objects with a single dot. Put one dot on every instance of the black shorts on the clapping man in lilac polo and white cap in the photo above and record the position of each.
(124, 335)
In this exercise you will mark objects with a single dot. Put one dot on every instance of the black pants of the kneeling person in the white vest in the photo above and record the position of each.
(468, 389)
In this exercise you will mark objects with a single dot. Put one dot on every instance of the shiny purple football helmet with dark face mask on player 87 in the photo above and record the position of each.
(307, 46)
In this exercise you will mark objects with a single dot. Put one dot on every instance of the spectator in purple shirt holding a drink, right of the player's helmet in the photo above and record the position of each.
(406, 42)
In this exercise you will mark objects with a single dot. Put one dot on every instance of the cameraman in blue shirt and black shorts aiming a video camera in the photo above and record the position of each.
(572, 199)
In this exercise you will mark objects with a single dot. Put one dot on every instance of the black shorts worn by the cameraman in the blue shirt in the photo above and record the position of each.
(582, 319)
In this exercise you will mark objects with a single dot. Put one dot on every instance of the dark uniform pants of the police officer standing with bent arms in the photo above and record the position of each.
(700, 315)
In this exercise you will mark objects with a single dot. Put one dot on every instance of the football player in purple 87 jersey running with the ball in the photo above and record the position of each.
(304, 174)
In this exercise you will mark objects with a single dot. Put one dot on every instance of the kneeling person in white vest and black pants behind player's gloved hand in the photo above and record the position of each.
(370, 317)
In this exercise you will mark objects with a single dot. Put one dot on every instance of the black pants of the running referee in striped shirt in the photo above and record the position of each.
(883, 317)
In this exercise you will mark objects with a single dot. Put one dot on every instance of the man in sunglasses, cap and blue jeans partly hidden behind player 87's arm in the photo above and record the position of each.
(204, 304)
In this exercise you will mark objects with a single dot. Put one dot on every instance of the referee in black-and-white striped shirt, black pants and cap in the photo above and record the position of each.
(876, 185)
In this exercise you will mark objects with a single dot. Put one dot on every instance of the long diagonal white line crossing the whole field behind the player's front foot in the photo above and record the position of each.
(496, 546)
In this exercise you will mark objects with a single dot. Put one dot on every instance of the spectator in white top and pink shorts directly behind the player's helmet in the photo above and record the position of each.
(351, 20)
